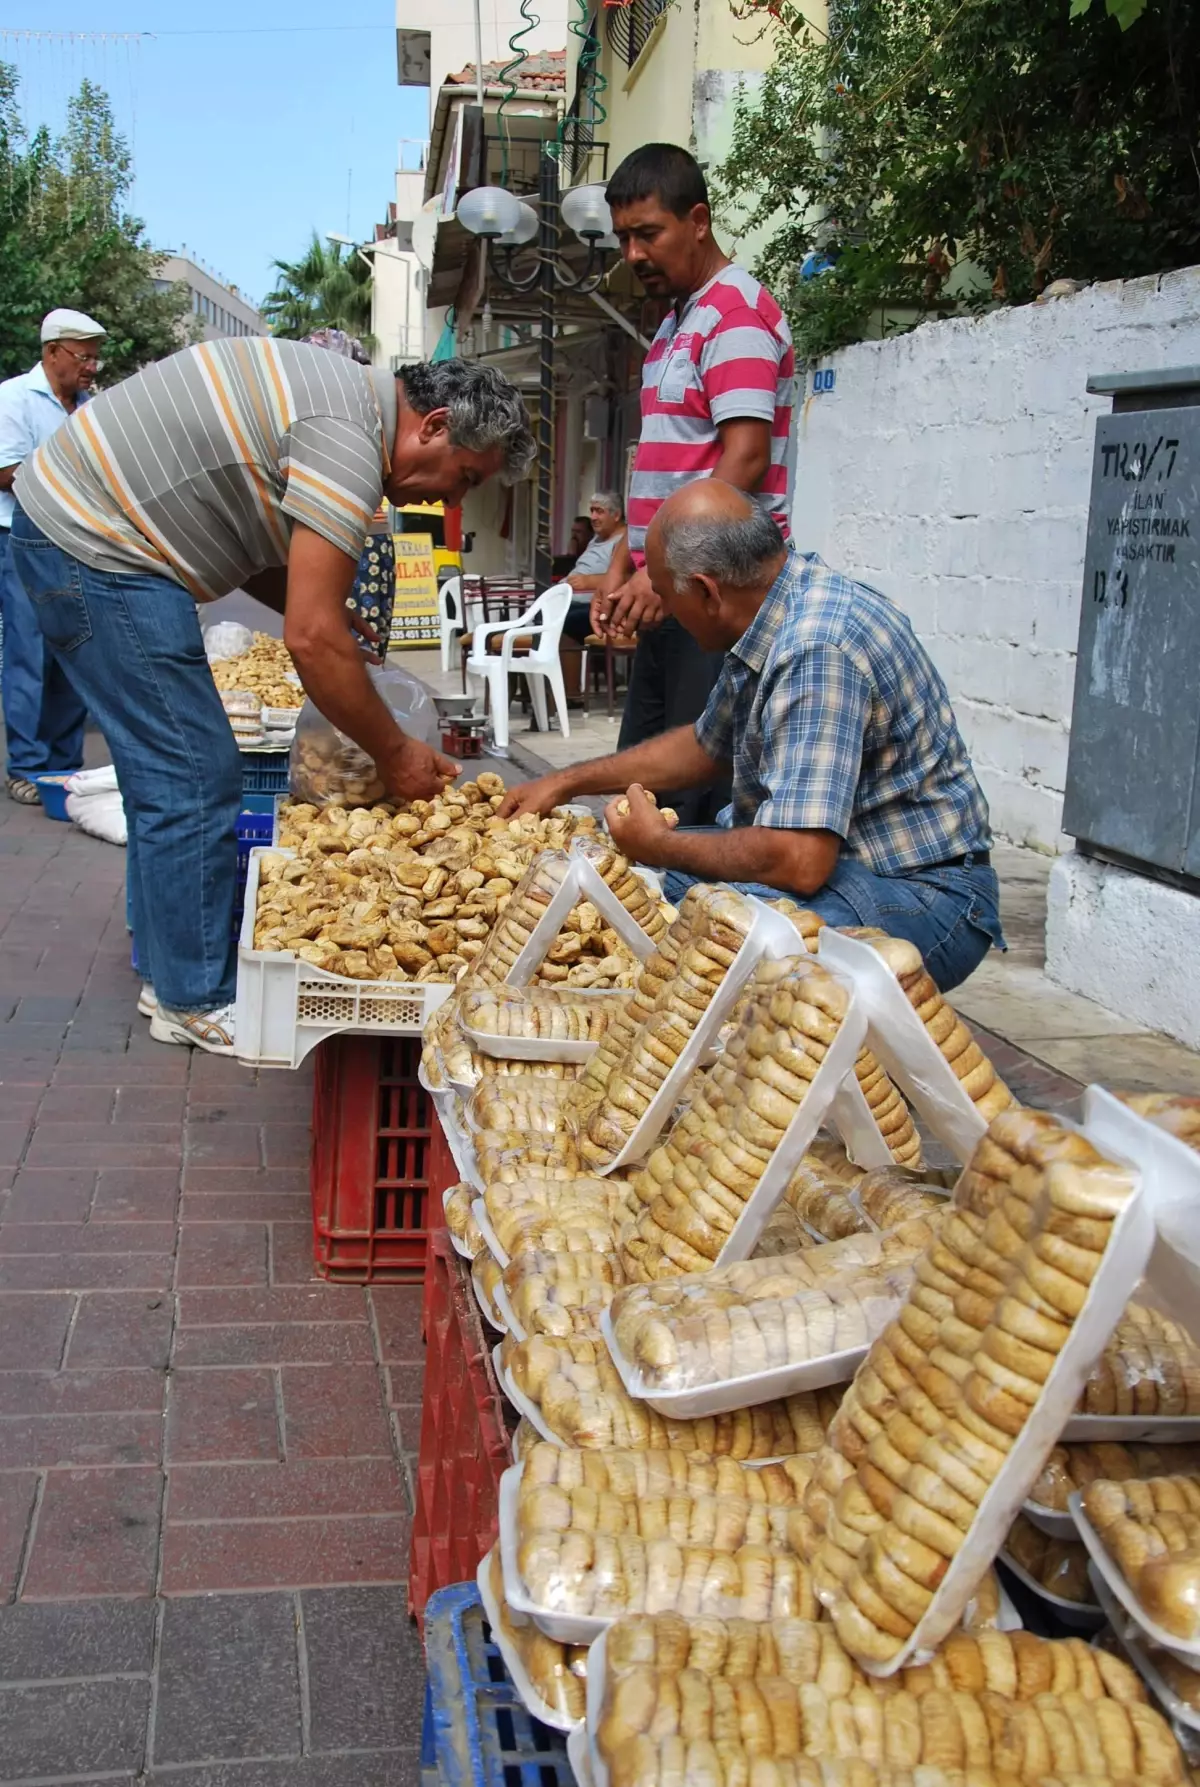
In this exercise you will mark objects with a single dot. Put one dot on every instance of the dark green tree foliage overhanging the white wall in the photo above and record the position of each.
(949, 155)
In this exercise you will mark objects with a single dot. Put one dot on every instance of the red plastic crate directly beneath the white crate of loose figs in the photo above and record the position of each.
(379, 1161)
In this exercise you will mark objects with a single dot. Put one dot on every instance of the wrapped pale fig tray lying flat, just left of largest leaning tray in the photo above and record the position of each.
(744, 1334)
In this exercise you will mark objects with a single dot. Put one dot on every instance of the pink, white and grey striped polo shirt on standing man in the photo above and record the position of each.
(722, 357)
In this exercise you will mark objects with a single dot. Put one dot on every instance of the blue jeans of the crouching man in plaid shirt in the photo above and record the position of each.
(951, 914)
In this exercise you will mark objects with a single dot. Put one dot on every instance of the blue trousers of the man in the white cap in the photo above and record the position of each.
(44, 717)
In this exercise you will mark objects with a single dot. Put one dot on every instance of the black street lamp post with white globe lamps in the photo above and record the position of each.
(506, 224)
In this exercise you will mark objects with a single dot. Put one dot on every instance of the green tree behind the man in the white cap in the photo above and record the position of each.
(67, 239)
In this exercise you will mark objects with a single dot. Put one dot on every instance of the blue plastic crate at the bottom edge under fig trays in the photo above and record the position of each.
(478, 1732)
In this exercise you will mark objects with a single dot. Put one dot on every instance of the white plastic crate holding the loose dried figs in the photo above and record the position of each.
(287, 1007)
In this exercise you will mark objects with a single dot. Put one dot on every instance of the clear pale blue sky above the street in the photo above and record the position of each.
(244, 140)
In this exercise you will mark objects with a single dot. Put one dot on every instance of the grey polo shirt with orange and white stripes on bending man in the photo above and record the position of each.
(197, 467)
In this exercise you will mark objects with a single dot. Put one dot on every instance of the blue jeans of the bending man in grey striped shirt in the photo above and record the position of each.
(131, 648)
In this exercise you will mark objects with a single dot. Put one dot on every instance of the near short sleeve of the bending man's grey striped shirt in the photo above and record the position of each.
(333, 480)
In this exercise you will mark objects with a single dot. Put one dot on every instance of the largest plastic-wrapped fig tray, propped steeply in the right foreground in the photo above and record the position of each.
(956, 1405)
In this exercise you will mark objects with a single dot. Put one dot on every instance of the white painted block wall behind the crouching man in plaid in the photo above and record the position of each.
(951, 467)
